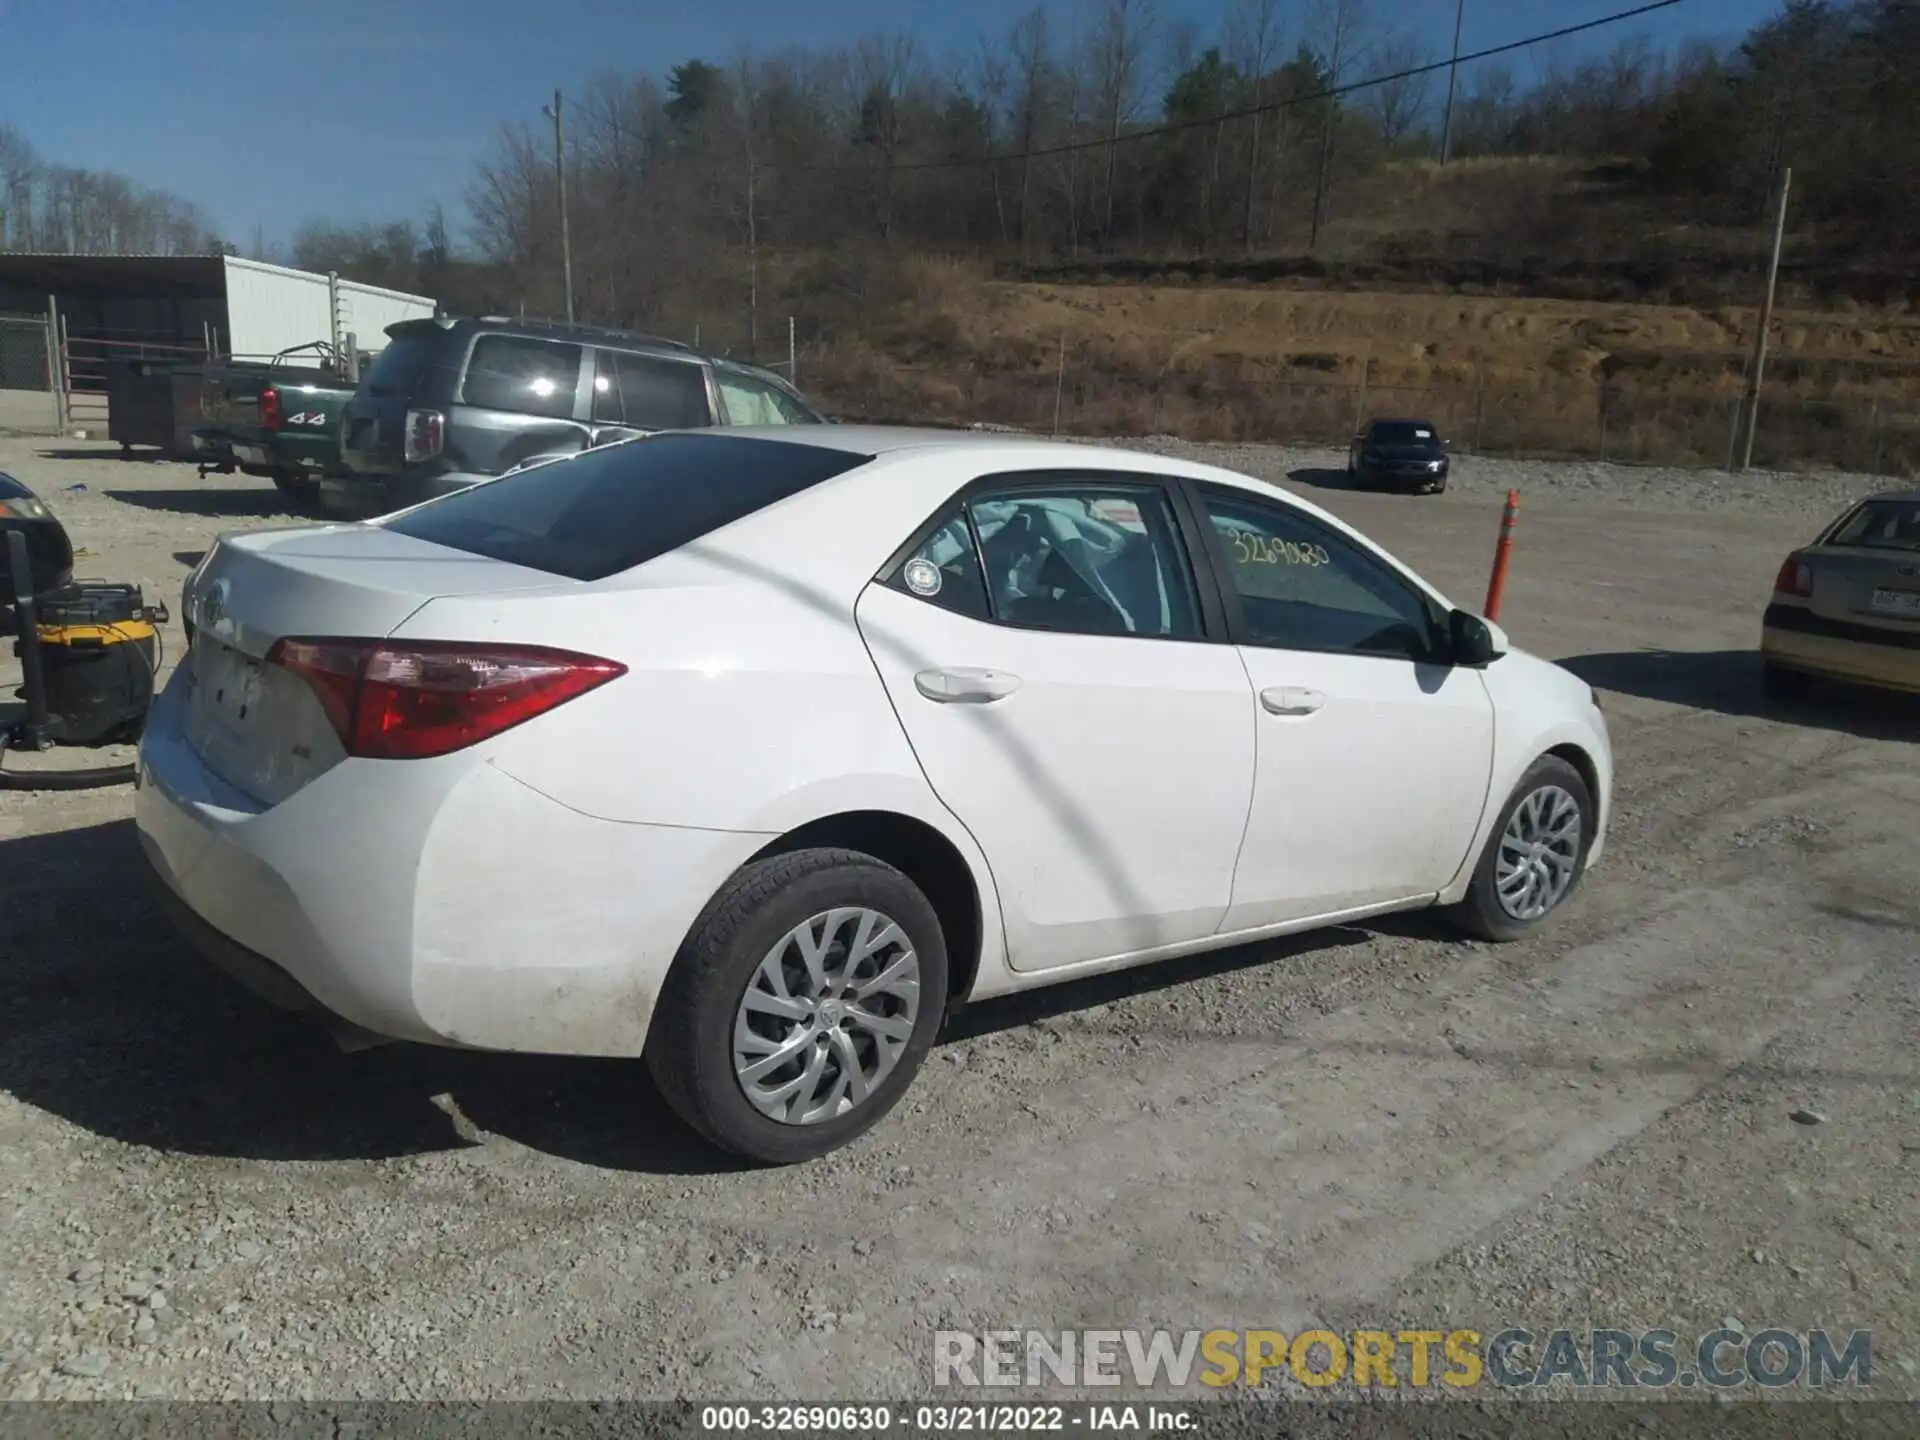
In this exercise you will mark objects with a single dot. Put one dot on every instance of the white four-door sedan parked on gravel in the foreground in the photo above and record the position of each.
(757, 754)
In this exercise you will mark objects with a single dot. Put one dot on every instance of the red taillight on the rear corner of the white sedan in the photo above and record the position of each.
(406, 702)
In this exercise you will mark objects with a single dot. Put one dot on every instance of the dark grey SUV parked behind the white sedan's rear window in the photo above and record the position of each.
(452, 402)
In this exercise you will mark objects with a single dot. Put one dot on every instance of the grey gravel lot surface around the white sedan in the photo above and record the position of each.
(1376, 1126)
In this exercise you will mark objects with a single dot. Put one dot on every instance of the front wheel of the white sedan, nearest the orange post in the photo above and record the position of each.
(1535, 855)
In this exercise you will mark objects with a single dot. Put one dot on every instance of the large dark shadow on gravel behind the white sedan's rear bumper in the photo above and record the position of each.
(114, 1024)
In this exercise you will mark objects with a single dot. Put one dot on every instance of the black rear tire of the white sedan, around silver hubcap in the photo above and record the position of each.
(694, 1049)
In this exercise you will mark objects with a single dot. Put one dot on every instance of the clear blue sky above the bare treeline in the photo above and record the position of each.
(272, 114)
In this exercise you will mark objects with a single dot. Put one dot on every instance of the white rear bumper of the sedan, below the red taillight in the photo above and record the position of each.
(435, 901)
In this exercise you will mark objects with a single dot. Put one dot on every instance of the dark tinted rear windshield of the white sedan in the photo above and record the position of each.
(612, 510)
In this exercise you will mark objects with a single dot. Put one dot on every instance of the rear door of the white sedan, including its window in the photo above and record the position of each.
(1076, 706)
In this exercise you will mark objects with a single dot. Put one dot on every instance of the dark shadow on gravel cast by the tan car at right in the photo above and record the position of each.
(1729, 683)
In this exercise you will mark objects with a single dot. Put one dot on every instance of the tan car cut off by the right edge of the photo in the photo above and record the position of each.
(1848, 606)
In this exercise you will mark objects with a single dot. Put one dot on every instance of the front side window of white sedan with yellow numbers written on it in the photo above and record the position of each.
(1308, 588)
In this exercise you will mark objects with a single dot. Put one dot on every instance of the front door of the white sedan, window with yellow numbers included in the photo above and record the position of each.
(1374, 754)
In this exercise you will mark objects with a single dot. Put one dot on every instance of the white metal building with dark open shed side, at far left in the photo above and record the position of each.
(87, 312)
